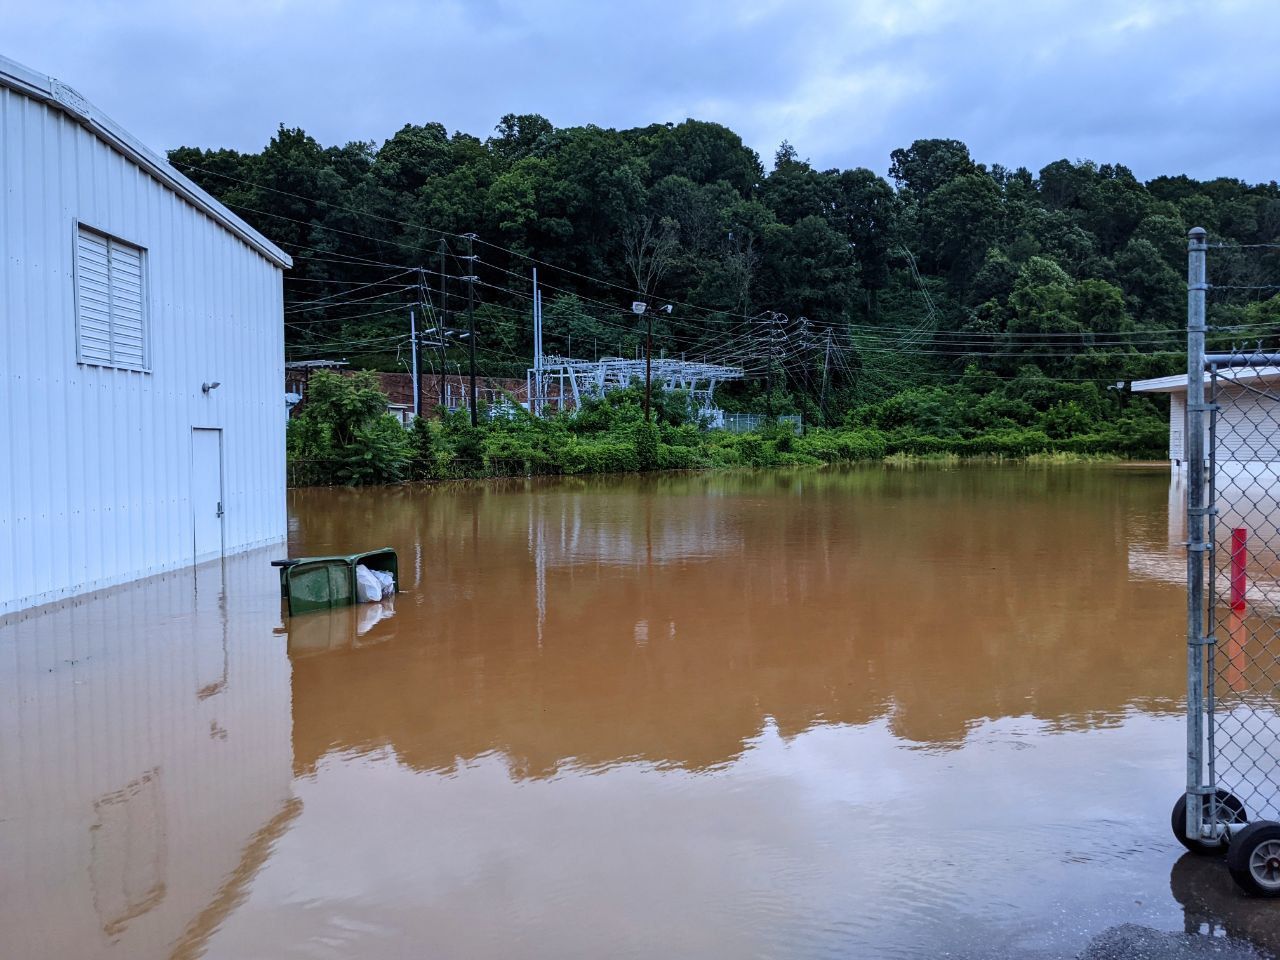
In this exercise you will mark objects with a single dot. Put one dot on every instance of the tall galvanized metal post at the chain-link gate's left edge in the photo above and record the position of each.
(1196, 542)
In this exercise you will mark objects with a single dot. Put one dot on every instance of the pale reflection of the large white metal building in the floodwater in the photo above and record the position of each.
(144, 764)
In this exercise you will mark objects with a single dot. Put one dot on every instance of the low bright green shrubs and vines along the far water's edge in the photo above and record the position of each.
(342, 436)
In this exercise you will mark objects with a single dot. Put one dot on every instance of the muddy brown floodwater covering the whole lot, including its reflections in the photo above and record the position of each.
(867, 712)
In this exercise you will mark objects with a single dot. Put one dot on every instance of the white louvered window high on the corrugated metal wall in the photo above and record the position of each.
(111, 303)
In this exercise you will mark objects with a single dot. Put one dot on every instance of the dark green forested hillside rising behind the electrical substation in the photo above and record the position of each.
(952, 298)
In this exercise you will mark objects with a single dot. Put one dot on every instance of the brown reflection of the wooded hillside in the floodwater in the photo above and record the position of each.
(936, 600)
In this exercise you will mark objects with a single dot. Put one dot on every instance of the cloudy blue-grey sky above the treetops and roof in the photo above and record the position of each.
(1163, 88)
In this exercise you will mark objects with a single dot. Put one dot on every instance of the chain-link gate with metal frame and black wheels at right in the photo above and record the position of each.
(1233, 597)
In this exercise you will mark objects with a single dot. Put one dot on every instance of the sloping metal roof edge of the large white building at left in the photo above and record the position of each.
(60, 97)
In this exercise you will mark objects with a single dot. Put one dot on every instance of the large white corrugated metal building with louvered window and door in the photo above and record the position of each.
(141, 358)
